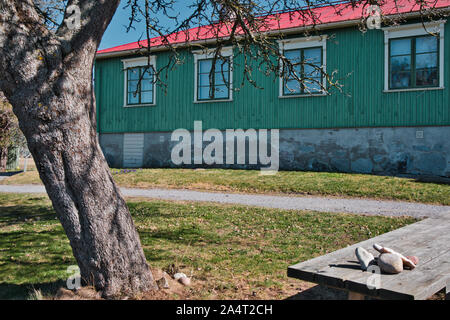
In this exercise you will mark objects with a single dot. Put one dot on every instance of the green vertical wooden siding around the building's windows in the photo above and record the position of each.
(359, 58)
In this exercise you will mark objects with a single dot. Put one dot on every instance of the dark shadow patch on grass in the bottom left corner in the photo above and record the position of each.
(10, 291)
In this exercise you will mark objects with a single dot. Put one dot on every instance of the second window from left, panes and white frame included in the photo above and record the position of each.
(216, 86)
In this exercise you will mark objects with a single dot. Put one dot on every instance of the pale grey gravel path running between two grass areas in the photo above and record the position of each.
(324, 204)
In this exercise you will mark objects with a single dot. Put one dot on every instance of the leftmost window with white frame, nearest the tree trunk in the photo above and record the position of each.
(139, 82)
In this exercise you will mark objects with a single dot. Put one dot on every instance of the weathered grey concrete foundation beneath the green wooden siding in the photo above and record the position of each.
(388, 151)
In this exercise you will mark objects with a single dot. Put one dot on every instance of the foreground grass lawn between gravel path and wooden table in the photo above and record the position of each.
(229, 251)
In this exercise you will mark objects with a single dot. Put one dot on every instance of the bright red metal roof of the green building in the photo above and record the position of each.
(284, 21)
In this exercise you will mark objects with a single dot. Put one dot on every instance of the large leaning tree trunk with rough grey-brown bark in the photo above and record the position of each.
(48, 81)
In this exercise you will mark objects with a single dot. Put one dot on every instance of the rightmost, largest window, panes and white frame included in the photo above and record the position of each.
(413, 57)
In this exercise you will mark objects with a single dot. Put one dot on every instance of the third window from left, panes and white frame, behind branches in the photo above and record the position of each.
(307, 56)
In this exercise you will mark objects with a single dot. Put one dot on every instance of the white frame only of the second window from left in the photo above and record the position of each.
(209, 54)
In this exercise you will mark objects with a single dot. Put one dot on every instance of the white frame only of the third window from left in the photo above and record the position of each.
(302, 43)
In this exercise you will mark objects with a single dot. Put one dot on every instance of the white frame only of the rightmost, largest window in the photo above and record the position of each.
(412, 30)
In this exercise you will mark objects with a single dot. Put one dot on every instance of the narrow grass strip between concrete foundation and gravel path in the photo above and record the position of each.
(285, 182)
